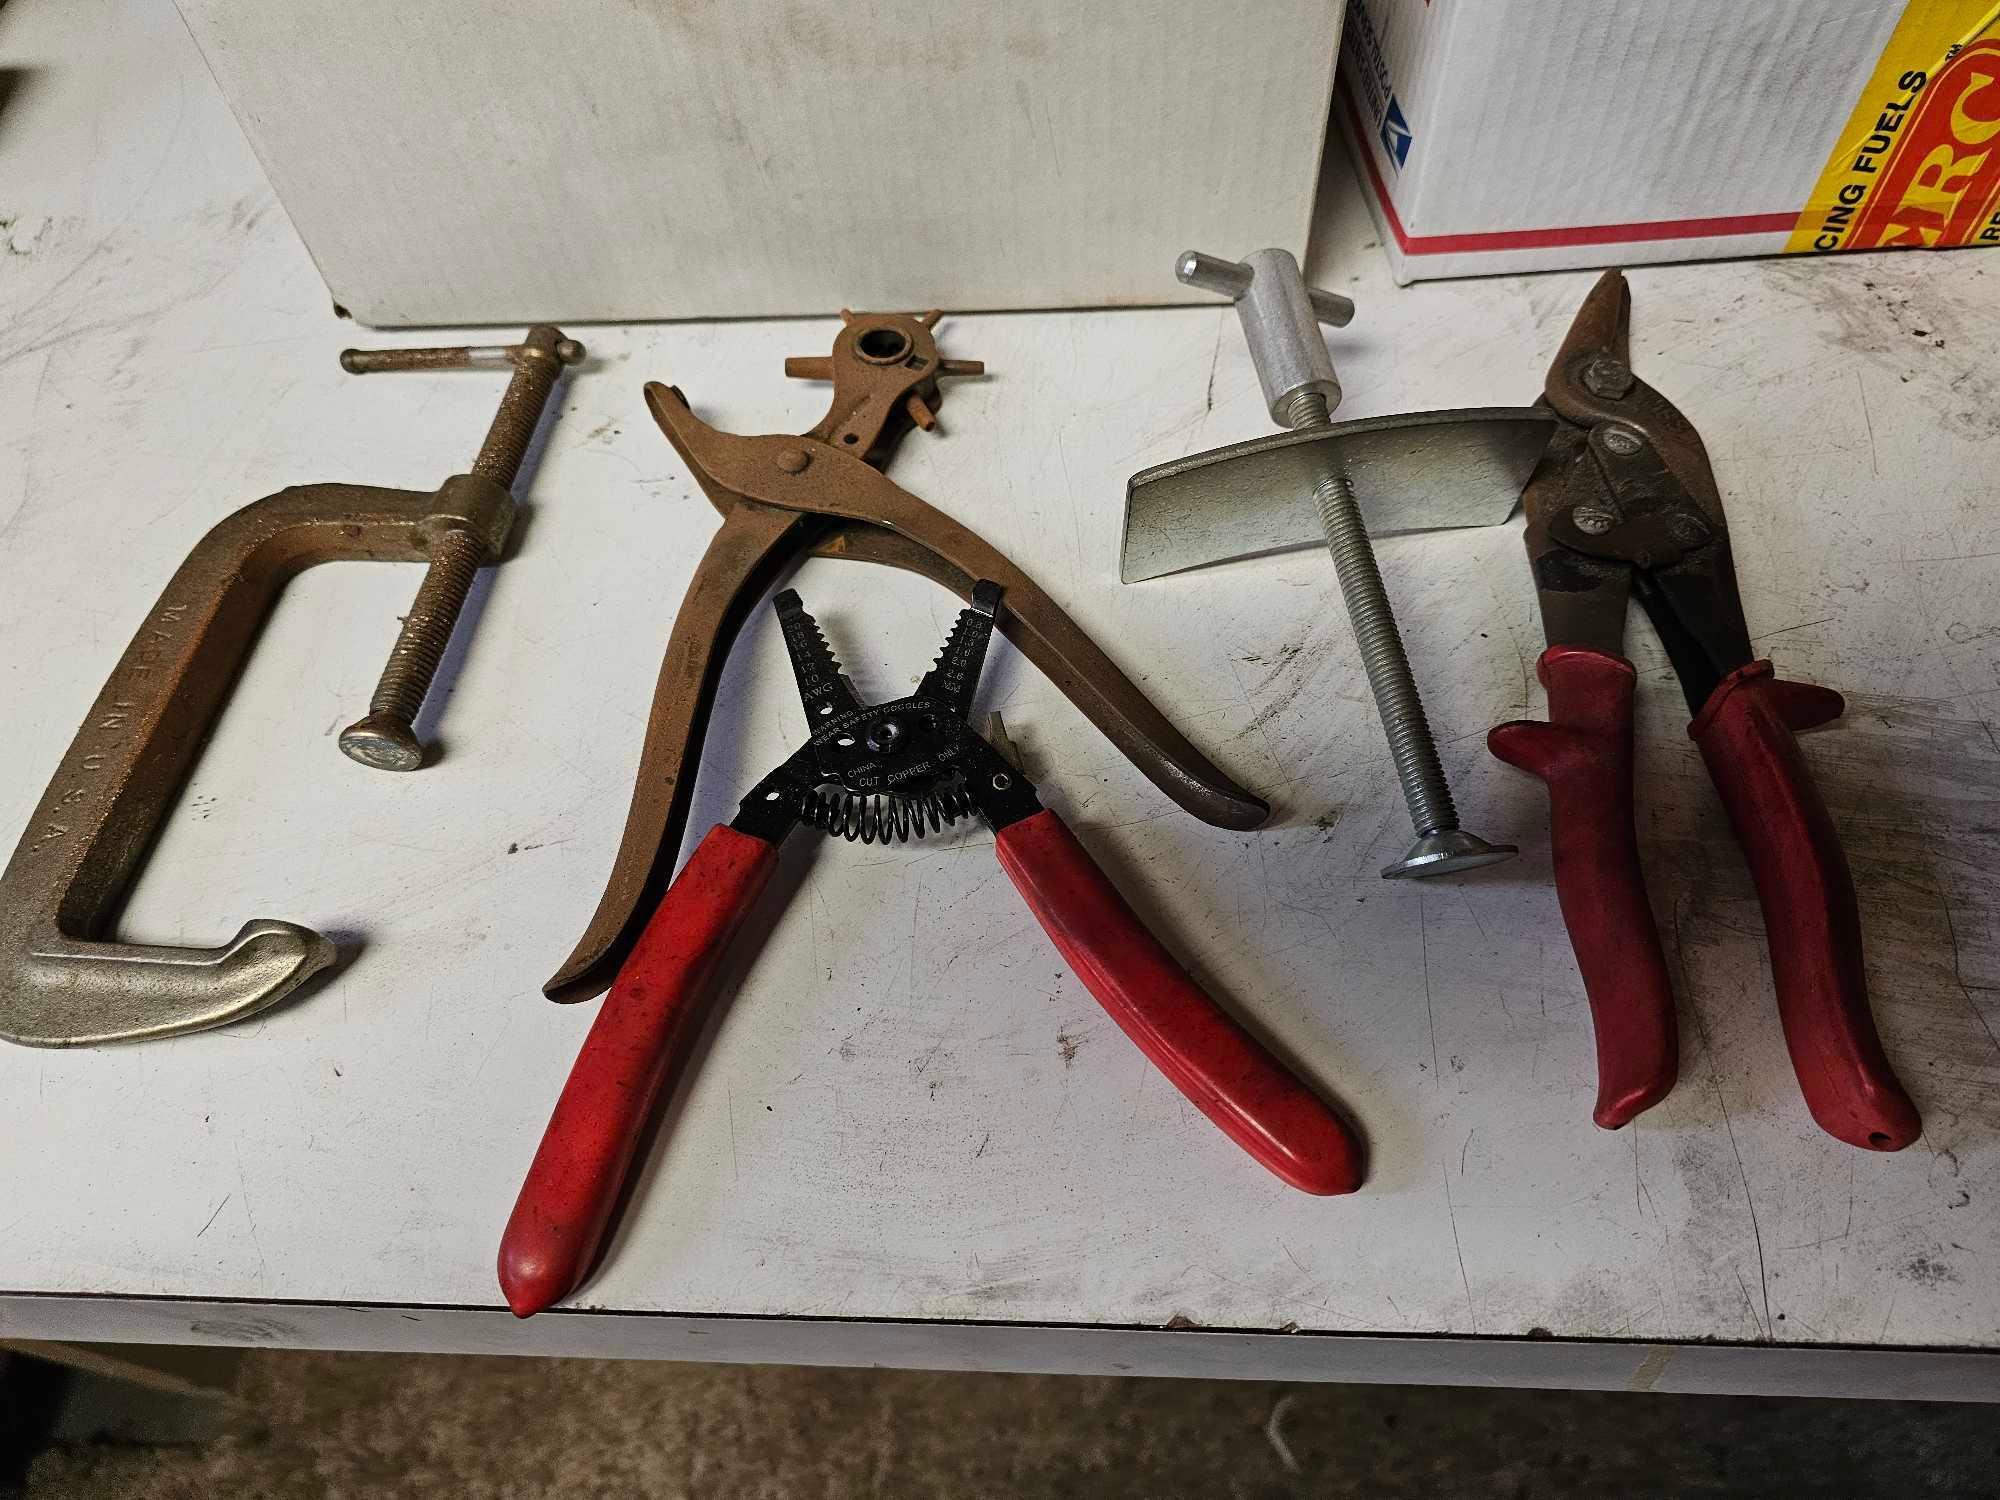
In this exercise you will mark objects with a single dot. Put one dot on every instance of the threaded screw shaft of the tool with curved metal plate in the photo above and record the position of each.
(1385, 661)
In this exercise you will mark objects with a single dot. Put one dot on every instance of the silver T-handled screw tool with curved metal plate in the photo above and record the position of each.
(1335, 483)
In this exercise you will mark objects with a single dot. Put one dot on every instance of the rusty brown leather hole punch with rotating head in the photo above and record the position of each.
(823, 493)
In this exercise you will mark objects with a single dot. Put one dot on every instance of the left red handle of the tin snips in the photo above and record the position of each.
(1585, 757)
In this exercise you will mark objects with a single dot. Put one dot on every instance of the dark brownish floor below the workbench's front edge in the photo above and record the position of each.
(489, 1429)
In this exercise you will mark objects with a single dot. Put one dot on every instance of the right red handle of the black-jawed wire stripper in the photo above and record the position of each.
(1213, 1061)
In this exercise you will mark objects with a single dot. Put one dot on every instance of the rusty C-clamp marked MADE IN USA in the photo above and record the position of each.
(63, 983)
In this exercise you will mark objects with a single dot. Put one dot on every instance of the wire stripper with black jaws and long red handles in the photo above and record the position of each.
(881, 773)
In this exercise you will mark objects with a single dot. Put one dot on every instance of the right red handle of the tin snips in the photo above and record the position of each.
(1803, 883)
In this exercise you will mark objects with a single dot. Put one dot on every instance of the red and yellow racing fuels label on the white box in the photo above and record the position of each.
(1919, 163)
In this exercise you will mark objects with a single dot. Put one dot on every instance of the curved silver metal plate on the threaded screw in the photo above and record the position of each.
(1411, 473)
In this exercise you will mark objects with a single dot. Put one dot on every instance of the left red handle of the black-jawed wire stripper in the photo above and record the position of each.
(643, 1029)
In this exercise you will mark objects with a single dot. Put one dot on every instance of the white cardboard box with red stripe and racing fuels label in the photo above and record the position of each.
(1537, 135)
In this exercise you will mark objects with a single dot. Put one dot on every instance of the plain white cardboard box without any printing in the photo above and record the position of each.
(503, 161)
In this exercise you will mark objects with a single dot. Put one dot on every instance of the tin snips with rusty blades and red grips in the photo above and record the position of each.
(1625, 503)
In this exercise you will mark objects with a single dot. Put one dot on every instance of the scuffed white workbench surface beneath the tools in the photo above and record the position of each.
(915, 1139)
